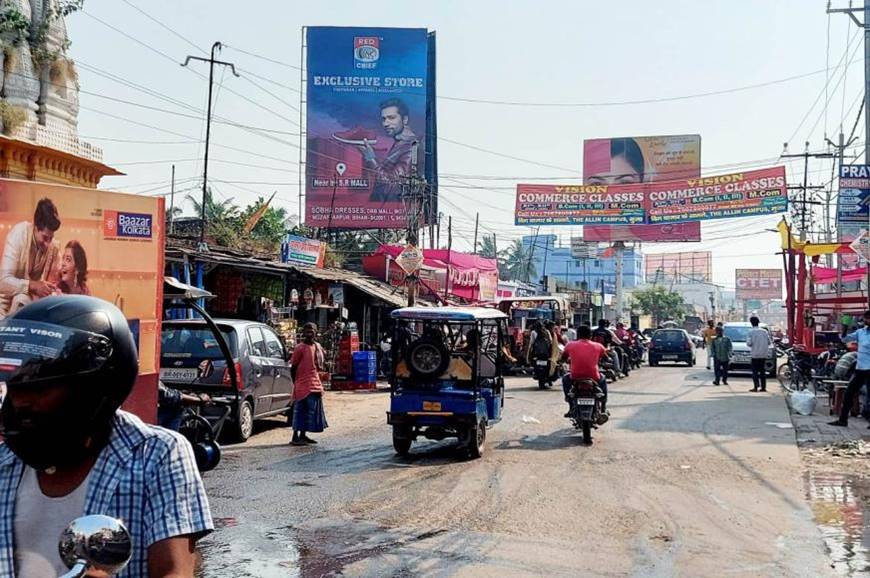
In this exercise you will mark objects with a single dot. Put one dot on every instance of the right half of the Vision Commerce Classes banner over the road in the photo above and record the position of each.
(746, 194)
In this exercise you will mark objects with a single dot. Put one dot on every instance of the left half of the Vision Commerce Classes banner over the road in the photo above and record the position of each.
(577, 205)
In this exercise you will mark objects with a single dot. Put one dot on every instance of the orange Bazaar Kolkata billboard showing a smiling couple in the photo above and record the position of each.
(109, 245)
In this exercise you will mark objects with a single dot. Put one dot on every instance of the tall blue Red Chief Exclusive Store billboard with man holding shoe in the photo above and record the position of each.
(367, 124)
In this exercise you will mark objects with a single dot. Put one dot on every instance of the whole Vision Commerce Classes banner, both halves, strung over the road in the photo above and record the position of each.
(744, 194)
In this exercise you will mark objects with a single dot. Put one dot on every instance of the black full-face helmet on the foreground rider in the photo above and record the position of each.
(82, 345)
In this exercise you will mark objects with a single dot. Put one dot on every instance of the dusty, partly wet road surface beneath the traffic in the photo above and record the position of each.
(687, 479)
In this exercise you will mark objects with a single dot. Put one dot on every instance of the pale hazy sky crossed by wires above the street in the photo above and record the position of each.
(533, 52)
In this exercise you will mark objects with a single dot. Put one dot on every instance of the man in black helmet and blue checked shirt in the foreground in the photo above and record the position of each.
(68, 363)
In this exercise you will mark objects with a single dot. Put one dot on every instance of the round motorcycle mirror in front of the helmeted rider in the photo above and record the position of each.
(95, 544)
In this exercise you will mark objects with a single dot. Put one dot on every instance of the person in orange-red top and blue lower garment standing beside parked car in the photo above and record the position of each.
(306, 364)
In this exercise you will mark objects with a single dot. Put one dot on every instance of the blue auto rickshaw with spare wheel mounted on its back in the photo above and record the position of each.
(446, 378)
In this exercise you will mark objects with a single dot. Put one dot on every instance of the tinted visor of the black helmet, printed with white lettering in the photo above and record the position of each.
(33, 352)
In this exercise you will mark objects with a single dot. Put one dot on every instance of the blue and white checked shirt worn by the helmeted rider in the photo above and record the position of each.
(146, 477)
